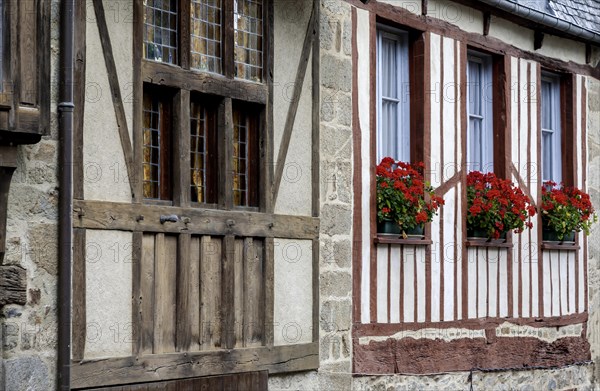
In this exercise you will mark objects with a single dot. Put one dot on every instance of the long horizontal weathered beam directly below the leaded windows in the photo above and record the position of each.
(146, 218)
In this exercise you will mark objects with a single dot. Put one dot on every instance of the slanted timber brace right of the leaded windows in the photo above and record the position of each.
(295, 101)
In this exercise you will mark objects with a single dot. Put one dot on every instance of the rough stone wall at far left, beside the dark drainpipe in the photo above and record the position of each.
(29, 332)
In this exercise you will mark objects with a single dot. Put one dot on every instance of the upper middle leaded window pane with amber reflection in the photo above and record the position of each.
(206, 35)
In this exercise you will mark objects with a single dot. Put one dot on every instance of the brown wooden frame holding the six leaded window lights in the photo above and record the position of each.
(223, 90)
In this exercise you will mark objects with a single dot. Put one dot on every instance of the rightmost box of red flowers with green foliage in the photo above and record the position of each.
(565, 210)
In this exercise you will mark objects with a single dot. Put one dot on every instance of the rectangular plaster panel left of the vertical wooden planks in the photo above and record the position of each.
(108, 294)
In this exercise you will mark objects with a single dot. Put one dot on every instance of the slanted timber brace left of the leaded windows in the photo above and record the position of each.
(115, 90)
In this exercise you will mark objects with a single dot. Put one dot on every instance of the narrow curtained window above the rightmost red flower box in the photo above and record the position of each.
(551, 135)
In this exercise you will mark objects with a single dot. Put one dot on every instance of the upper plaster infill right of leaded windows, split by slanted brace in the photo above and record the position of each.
(295, 193)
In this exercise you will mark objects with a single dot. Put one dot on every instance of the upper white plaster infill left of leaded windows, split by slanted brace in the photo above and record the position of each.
(105, 173)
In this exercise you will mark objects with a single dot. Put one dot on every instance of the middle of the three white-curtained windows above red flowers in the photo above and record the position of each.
(480, 153)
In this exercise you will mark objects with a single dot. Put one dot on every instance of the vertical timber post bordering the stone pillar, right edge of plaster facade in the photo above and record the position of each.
(315, 166)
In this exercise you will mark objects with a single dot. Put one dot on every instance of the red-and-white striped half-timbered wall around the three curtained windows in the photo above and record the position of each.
(519, 281)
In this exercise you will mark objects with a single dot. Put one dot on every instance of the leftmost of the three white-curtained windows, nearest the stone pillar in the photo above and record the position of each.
(393, 95)
